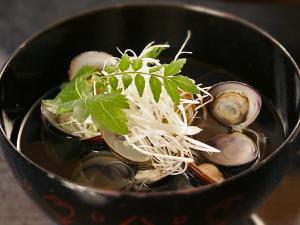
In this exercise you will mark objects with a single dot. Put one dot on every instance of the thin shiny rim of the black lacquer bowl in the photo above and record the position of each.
(174, 5)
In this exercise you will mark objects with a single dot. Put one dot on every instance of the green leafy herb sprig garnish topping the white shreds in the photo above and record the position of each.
(97, 95)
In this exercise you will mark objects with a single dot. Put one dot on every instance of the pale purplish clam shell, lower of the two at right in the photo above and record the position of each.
(236, 149)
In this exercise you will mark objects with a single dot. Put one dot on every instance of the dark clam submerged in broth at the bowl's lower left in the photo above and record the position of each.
(103, 170)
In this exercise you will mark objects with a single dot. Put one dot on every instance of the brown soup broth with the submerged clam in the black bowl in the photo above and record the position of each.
(93, 164)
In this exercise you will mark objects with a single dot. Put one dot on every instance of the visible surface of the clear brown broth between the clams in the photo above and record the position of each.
(33, 137)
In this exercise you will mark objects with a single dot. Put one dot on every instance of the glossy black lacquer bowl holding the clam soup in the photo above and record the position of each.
(218, 39)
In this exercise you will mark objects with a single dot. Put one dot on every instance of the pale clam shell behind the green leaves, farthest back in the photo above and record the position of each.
(90, 58)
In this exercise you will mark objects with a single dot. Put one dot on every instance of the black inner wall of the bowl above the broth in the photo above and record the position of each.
(218, 41)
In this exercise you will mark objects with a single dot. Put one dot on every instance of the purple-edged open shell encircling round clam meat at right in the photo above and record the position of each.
(254, 101)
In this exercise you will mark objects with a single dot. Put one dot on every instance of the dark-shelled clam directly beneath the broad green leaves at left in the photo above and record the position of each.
(63, 140)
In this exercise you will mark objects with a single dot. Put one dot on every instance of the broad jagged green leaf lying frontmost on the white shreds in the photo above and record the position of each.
(107, 112)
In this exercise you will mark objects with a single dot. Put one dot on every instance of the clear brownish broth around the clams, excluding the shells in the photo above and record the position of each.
(31, 143)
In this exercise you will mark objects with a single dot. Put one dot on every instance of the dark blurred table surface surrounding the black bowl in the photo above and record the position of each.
(18, 20)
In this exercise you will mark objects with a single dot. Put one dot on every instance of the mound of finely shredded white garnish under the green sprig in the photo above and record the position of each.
(159, 129)
